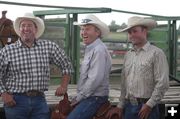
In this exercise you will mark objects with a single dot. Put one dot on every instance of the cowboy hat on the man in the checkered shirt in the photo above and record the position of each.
(39, 23)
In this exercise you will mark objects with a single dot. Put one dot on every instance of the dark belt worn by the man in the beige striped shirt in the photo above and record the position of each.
(137, 101)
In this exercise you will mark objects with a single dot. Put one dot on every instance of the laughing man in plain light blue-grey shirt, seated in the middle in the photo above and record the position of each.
(93, 85)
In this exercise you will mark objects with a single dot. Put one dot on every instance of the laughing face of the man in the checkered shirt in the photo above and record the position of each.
(28, 30)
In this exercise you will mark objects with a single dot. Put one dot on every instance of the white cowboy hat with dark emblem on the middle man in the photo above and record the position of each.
(92, 19)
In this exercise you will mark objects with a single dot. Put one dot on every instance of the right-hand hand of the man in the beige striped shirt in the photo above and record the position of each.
(144, 112)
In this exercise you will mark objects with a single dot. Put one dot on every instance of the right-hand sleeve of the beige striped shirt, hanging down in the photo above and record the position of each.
(161, 76)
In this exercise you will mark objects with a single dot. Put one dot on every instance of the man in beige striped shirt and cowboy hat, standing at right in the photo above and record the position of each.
(145, 75)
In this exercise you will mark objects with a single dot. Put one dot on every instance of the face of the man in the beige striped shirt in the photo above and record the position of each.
(137, 35)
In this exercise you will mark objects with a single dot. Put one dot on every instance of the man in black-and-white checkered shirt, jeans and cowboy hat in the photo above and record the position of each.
(25, 70)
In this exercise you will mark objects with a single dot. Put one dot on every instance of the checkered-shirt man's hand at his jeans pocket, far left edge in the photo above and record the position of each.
(8, 99)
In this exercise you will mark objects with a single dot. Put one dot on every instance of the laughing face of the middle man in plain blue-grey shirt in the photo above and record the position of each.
(89, 33)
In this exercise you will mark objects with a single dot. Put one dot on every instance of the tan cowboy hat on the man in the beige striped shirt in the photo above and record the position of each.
(140, 21)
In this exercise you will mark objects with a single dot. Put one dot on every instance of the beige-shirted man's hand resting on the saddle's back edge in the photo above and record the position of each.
(113, 111)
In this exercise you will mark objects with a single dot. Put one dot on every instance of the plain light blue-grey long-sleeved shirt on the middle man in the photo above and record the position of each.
(95, 70)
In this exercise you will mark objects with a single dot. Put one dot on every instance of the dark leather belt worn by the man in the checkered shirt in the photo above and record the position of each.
(31, 93)
